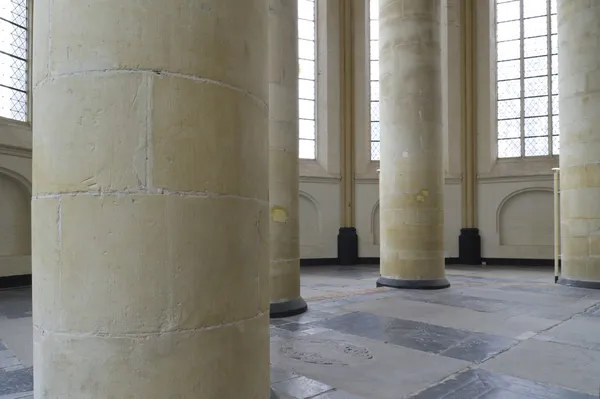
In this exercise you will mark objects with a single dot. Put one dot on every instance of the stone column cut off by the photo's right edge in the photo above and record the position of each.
(579, 95)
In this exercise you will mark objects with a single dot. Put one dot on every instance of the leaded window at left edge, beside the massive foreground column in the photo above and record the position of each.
(13, 59)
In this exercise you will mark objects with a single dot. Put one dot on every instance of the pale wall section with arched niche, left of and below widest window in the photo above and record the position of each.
(515, 200)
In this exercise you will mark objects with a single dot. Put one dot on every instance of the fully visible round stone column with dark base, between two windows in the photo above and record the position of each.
(411, 178)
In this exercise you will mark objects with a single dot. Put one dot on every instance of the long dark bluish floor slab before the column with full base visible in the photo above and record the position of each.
(448, 342)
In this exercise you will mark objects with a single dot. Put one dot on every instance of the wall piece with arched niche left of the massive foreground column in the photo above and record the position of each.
(15, 198)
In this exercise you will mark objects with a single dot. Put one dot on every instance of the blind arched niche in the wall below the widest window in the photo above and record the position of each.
(525, 218)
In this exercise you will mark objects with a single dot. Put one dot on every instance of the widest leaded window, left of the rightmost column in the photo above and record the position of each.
(527, 78)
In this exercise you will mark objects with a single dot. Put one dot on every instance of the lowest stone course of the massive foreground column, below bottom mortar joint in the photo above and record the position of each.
(156, 366)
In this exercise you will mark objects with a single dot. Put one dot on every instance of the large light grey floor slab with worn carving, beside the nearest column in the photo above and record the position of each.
(362, 366)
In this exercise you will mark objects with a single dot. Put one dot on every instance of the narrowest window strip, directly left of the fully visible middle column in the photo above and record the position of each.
(374, 77)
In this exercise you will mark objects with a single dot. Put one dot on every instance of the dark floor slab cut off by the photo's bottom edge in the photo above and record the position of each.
(482, 384)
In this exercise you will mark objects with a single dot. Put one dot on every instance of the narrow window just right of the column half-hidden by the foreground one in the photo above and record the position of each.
(306, 78)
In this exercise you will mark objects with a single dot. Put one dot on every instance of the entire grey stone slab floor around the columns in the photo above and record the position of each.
(497, 333)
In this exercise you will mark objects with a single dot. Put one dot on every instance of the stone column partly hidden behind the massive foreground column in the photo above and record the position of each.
(283, 159)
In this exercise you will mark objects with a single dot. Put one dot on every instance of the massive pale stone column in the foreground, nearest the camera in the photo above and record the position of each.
(150, 207)
